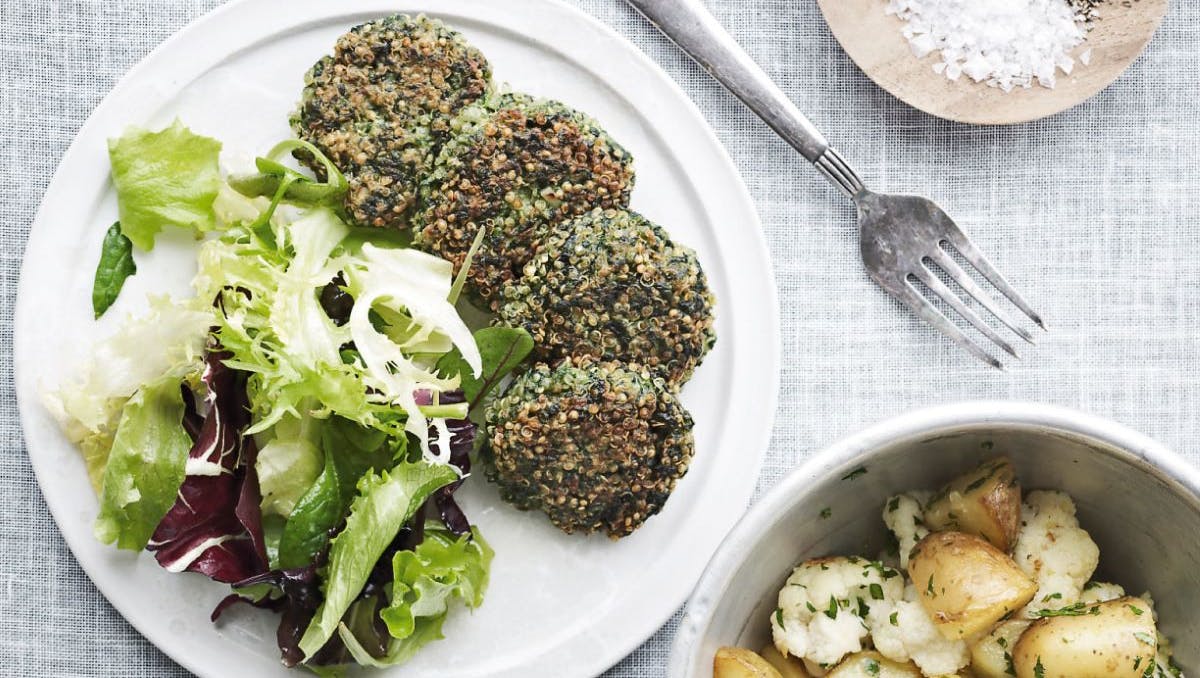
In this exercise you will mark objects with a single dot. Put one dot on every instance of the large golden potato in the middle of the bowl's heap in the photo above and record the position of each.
(965, 584)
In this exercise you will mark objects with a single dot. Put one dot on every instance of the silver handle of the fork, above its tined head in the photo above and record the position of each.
(699, 34)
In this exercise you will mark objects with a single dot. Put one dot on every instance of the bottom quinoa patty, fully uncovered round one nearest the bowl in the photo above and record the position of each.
(598, 447)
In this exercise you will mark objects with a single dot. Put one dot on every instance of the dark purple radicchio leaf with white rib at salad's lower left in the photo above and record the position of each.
(212, 529)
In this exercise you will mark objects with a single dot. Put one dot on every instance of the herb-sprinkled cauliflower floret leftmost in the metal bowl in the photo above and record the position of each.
(821, 608)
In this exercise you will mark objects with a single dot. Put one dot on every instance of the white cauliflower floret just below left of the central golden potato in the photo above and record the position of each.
(903, 632)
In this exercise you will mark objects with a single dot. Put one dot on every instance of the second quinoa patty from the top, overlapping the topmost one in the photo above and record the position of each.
(518, 166)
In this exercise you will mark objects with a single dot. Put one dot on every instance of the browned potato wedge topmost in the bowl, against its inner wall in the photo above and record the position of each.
(986, 502)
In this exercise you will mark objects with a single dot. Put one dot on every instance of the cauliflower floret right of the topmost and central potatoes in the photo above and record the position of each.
(1054, 550)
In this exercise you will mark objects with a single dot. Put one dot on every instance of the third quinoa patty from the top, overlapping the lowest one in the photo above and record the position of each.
(614, 286)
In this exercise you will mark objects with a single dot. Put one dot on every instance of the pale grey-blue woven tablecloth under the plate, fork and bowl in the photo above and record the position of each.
(1090, 213)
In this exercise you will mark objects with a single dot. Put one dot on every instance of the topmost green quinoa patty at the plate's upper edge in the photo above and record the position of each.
(381, 106)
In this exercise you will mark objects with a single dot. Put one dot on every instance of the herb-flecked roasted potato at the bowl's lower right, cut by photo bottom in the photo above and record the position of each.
(1111, 640)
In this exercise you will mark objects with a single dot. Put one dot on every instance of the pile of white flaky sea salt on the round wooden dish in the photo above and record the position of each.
(1005, 44)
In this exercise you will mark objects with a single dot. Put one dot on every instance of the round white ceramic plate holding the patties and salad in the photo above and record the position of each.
(557, 605)
